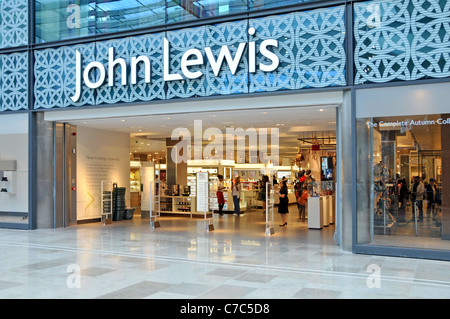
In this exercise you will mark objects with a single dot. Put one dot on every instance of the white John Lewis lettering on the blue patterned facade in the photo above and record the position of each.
(191, 58)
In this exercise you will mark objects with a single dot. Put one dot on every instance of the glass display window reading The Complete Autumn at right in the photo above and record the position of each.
(403, 181)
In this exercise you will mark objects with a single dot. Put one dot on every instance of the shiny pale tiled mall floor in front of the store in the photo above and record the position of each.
(180, 260)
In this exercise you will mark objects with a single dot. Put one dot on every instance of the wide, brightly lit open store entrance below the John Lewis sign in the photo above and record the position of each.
(293, 149)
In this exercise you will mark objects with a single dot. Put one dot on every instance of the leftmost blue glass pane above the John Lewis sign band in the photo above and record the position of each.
(59, 20)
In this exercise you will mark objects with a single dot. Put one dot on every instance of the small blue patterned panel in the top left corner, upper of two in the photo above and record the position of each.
(13, 23)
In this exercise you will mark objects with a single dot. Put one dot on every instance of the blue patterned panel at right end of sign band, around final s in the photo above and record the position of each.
(311, 50)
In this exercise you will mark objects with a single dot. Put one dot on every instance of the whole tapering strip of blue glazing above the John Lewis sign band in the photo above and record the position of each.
(67, 19)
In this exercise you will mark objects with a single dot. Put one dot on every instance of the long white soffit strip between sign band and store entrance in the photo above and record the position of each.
(323, 99)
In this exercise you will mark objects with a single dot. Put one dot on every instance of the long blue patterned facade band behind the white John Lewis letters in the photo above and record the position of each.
(311, 49)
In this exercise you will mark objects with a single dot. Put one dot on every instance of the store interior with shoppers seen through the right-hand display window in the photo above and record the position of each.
(408, 164)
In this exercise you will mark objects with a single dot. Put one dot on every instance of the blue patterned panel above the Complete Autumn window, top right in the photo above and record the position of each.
(401, 40)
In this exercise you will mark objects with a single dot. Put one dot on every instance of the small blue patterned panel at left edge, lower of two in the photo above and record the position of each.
(14, 81)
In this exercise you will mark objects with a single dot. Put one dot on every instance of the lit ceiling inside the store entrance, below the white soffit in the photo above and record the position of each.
(149, 133)
